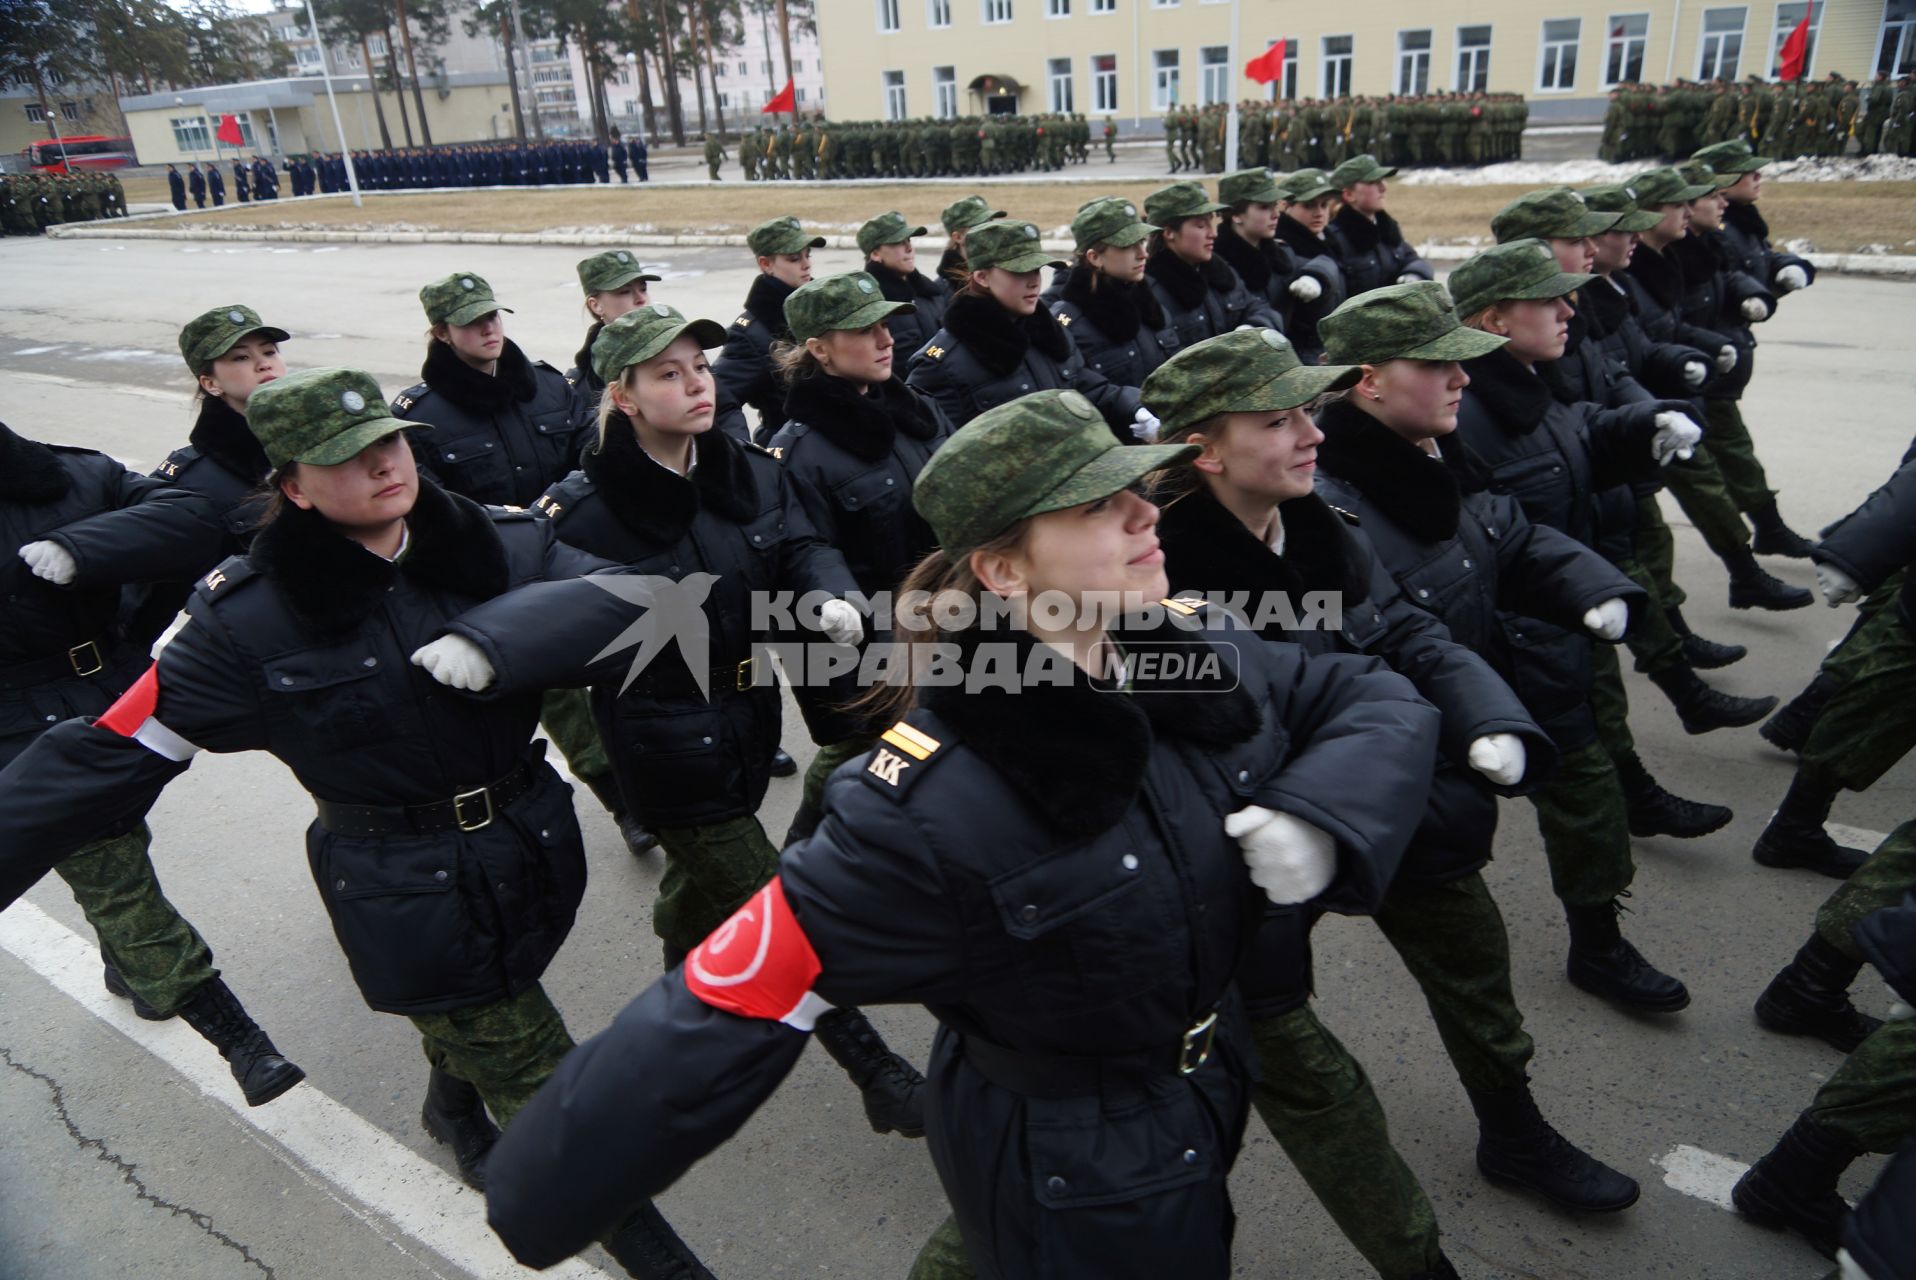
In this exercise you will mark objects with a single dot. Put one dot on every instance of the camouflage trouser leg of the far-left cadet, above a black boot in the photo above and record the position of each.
(141, 934)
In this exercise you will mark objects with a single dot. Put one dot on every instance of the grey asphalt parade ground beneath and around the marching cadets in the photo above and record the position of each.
(129, 1151)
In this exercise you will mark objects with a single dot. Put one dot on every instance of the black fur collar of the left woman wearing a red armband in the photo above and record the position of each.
(332, 583)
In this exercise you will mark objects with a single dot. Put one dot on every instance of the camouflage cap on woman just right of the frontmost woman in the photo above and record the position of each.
(1239, 373)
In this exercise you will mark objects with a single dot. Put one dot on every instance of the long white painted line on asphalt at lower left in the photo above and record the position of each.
(308, 1128)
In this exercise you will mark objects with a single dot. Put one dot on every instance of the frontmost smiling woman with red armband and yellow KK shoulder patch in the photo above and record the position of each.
(1007, 859)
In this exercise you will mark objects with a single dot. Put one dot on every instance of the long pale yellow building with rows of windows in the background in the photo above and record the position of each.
(1137, 58)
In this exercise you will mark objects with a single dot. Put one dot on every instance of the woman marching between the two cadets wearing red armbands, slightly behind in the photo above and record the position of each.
(670, 497)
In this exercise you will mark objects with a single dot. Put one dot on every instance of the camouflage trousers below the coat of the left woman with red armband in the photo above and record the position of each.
(505, 1049)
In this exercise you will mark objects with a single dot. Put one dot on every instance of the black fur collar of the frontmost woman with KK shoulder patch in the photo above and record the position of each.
(1074, 752)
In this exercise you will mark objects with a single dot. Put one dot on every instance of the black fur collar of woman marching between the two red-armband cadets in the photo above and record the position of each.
(654, 501)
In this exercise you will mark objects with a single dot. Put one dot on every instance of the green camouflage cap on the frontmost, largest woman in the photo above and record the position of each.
(1041, 453)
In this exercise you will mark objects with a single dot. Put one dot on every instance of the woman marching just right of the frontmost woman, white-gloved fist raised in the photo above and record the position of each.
(1243, 522)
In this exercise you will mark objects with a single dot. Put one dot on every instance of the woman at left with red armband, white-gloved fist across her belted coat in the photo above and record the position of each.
(445, 848)
